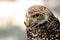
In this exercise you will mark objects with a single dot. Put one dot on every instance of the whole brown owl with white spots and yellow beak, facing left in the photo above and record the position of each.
(41, 24)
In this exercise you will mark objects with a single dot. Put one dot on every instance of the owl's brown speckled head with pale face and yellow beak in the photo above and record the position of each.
(37, 14)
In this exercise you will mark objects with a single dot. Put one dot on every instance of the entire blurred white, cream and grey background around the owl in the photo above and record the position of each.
(12, 15)
